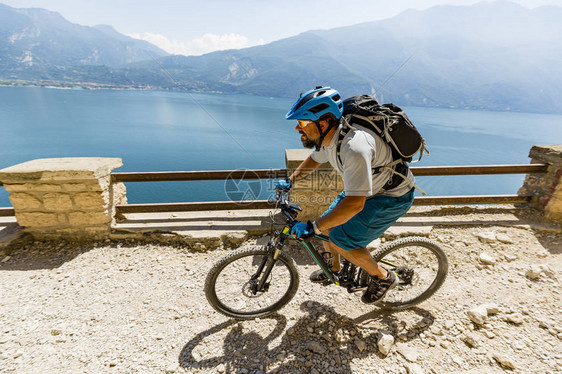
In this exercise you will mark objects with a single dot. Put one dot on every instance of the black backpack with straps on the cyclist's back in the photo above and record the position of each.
(390, 123)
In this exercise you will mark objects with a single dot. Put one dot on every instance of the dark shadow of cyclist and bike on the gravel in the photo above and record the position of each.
(321, 339)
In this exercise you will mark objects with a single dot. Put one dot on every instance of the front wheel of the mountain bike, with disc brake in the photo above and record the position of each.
(233, 284)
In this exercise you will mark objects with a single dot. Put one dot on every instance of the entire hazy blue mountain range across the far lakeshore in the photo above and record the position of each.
(491, 55)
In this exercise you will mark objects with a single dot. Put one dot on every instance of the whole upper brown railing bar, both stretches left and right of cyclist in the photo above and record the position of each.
(167, 176)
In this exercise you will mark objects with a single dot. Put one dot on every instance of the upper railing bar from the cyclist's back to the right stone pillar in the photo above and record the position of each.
(479, 169)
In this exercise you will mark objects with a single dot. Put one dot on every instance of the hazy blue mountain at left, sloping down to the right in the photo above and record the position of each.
(36, 41)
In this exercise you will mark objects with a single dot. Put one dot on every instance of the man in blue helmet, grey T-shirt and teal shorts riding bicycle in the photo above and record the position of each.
(367, 206)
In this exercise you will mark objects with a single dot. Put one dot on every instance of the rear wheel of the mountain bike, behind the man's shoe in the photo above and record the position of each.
(421, 267)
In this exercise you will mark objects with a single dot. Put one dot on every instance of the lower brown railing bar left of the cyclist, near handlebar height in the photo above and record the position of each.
(193, 207)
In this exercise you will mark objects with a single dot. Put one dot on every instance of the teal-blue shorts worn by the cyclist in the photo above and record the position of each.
(378, 214)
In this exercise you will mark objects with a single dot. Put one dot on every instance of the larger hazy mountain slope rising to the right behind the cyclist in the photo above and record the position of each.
(496, 55)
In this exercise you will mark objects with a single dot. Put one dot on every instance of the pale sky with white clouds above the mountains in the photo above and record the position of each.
(192, 27)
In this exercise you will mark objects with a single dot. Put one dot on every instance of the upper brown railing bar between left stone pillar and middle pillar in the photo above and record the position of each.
(166, 176)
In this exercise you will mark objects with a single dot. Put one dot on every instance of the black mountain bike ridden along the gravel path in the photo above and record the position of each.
(256, 281)
